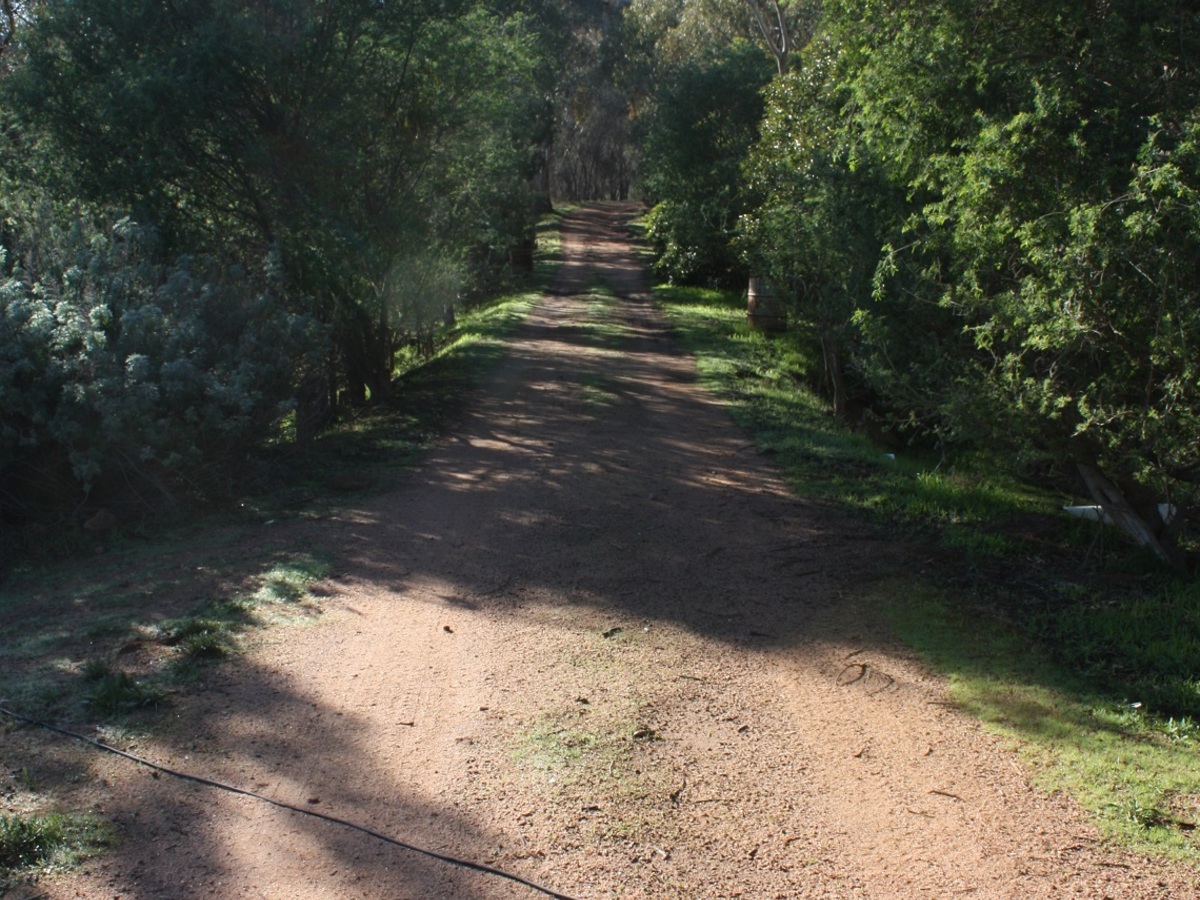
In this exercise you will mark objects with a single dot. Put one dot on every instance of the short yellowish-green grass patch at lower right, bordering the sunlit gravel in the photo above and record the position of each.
(1136, 771)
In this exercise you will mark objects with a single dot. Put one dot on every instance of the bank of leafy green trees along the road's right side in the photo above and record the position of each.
(985, 217)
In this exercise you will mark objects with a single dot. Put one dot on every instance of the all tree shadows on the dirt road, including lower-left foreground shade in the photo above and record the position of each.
(592, 473)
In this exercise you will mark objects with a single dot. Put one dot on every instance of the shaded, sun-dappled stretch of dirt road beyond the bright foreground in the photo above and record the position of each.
(610, 477)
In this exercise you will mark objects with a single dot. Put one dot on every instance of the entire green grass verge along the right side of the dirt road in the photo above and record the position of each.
(1090, 662)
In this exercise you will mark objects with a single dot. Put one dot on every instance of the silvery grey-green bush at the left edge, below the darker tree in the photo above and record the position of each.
(125, 367)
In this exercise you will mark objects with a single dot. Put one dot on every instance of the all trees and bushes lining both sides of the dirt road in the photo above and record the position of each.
(224, 217)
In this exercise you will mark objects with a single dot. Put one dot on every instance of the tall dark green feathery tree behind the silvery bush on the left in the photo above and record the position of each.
(346, 140)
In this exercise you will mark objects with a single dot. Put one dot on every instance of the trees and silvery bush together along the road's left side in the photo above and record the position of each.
(225, 218)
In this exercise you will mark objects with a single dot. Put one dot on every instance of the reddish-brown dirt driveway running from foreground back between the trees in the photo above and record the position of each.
(595, 641)
